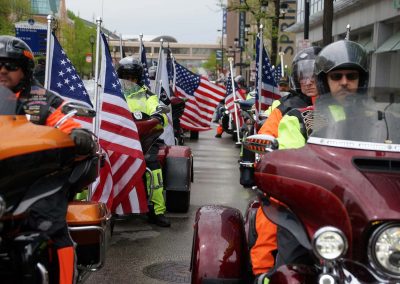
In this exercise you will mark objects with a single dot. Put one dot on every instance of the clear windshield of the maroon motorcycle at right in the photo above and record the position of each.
(368, 120)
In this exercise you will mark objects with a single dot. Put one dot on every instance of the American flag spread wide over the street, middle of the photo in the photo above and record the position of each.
(203, 96)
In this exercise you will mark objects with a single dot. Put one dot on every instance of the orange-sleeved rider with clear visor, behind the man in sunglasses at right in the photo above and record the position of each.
(304, 91)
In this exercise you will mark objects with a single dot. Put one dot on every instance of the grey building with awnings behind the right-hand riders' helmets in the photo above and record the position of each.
(374, 24)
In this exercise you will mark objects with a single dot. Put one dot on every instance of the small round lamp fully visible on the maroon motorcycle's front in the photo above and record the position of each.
(329, 243)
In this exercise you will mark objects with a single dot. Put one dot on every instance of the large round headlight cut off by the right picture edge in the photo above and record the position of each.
(384, 249)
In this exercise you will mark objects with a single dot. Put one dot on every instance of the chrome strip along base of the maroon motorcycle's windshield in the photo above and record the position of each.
(354, 144)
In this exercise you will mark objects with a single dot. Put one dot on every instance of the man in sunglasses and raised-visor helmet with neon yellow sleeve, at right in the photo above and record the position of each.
(341, 67)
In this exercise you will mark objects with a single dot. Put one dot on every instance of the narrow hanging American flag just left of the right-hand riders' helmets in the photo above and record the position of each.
(269, 87)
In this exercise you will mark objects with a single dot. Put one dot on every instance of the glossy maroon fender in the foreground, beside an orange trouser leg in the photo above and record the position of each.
(219, 250)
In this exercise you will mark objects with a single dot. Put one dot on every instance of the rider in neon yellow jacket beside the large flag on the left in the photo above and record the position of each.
(140, 99)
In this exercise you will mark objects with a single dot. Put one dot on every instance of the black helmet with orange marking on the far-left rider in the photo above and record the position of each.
(15, 49)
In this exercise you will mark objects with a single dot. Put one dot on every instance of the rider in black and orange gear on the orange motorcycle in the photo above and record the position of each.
(43, 107)
